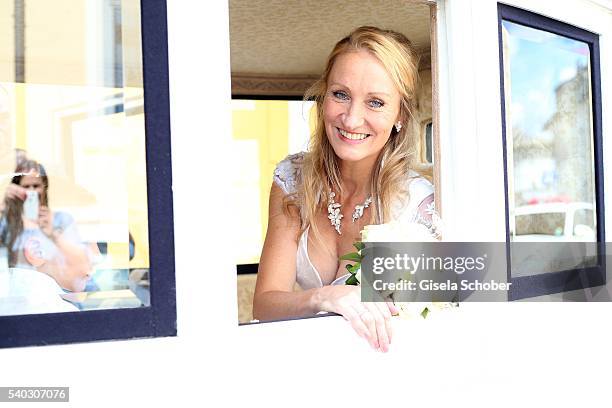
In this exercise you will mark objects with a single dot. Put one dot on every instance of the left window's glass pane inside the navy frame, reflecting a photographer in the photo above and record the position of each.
(71, 102)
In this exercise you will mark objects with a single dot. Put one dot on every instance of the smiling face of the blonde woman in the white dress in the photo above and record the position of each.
(361, 106)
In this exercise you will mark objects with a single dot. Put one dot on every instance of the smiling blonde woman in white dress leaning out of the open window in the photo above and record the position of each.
(358, 171)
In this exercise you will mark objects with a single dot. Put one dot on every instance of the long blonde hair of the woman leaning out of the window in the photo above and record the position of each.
(321, 172)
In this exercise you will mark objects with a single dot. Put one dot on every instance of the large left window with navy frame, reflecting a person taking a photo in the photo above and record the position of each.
(72, 111)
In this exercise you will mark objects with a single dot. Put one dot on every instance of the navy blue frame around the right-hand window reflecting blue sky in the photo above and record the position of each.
(557, 282)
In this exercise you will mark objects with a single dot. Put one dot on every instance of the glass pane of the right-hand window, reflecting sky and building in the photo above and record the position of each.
(549, 141)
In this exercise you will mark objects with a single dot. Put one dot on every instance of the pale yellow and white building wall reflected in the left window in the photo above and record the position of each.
(95, 160)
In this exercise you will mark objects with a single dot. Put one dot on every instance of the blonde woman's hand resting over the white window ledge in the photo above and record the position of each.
(371, 320)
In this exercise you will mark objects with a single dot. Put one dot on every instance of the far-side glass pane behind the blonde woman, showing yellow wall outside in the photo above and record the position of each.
(264, 133)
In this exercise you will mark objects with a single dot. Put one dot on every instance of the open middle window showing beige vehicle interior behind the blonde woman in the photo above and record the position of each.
(270, 71)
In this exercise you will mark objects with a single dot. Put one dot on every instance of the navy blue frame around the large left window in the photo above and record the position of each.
(159, 319)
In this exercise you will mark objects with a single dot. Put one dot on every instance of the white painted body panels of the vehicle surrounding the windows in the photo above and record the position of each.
(483, 355)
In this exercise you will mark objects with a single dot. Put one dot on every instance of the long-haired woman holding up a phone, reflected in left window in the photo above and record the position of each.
(39, 238)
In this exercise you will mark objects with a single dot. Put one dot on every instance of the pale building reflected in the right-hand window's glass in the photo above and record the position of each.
(561, 153)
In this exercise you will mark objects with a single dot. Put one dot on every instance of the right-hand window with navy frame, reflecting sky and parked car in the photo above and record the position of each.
(552, 151)
